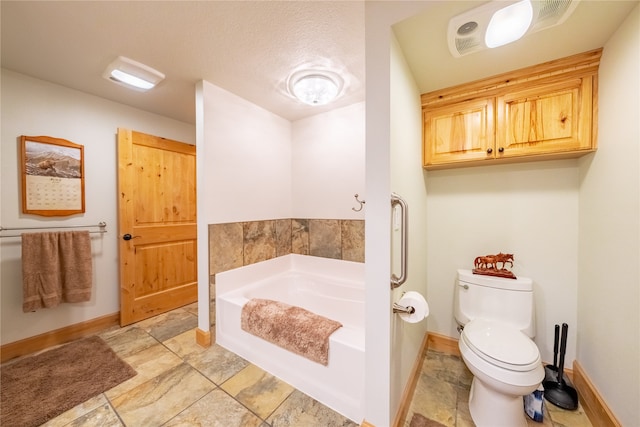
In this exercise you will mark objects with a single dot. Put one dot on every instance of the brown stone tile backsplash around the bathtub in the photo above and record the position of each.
(236, 244)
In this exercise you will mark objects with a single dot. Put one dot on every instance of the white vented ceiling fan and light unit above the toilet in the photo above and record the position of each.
(482, 27)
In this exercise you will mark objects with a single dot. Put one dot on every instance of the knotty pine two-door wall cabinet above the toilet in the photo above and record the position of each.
(541, 112)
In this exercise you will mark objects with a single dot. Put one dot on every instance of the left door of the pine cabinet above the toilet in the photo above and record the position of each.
(459, 133)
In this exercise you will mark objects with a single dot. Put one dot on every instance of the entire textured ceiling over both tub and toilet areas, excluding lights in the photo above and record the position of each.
(250, 47)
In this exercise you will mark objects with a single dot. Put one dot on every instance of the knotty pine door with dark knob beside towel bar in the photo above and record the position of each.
(157, 224)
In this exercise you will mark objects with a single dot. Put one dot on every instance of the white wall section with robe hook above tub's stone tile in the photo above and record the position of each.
(327, 164)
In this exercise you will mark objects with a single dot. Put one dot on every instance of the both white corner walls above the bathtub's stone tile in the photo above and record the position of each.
(261, 166)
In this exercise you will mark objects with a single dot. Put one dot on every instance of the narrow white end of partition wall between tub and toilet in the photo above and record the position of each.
(381, 361)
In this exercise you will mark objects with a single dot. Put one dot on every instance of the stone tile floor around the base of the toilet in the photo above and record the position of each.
(442, 395)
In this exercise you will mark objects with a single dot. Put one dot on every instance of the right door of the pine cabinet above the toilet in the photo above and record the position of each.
(554, 118)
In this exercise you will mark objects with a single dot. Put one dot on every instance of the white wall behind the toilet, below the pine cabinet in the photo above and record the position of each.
(530, 210)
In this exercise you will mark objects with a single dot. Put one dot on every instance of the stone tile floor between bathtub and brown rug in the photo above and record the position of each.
(180, 383)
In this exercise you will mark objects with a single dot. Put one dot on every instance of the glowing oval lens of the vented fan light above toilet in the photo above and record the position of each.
(509, 24)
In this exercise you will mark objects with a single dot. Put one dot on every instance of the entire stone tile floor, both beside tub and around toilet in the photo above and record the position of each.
(182, 384)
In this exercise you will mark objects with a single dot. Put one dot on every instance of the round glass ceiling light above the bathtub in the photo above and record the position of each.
(315, 87)
